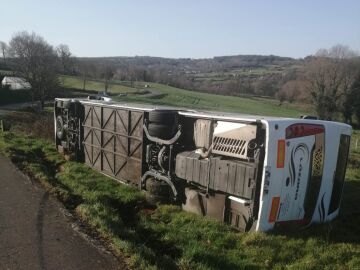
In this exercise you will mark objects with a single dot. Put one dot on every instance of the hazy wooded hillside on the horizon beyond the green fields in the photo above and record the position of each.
(231, 75)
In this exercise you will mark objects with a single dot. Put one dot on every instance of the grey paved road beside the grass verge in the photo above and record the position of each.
(36, 234)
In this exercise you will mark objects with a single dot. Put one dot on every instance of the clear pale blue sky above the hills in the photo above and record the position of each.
(186, 29)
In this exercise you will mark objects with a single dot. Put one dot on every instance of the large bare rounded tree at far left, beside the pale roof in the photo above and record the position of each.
(37, 62)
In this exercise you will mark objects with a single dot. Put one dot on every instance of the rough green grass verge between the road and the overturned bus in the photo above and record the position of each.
(168, 238)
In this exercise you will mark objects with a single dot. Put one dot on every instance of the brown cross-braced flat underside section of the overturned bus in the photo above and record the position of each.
(113, 141)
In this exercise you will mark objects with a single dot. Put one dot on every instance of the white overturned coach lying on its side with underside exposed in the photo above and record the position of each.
(255, 173)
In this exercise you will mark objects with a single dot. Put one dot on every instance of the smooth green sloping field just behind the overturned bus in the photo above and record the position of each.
(190, 99)
